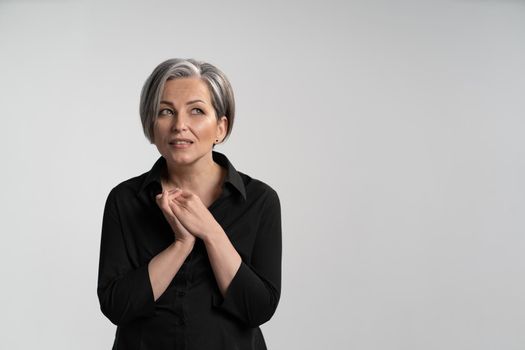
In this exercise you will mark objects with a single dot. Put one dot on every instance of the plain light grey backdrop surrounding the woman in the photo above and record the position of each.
(392, 130)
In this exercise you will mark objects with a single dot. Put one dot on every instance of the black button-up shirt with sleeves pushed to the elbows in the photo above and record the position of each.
(191, 313)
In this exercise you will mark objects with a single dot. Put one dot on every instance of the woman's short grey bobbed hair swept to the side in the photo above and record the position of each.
(220, 90)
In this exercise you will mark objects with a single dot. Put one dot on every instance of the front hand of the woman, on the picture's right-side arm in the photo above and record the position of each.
(193, 215)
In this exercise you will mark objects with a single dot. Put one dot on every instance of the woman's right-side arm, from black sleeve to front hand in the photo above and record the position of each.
(250, 290)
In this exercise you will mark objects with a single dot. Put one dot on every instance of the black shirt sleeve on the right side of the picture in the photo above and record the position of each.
(255, 290)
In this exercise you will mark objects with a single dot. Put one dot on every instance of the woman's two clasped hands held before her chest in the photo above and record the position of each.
(187, 215)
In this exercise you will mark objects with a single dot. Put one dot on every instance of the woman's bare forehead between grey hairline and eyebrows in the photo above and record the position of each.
(184, 89)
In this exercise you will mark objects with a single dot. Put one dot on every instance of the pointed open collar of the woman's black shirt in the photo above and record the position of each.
(233, 178)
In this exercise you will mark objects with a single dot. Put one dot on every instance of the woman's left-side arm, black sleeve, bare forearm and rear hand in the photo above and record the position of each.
(126, 292)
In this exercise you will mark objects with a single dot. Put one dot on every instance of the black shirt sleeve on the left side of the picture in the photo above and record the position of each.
(124, 292)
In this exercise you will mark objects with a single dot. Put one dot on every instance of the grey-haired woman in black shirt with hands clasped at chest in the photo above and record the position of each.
(190, 252)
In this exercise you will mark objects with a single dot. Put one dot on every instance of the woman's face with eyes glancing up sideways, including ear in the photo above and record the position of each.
(187, 126)
